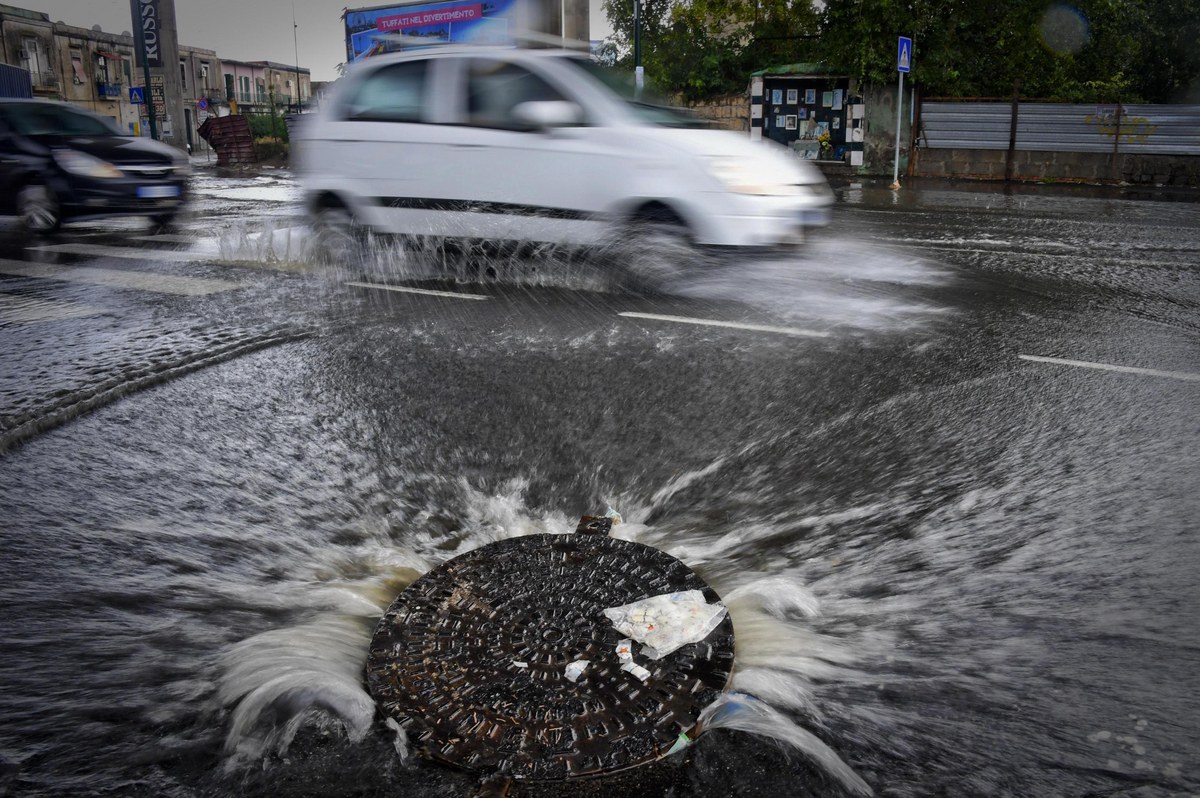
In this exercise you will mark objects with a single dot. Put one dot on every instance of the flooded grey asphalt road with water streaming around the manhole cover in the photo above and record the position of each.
(959, 548)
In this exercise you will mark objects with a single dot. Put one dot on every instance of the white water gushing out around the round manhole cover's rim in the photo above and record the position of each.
(311, 674)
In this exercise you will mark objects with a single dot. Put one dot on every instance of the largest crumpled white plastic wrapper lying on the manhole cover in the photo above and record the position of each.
(665, 623)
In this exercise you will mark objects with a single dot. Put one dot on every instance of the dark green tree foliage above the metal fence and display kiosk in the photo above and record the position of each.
(1093, 51)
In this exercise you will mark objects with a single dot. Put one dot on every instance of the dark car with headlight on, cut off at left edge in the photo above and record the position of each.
(59, 163)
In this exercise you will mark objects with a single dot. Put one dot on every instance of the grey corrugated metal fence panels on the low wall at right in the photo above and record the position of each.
(1061, 128)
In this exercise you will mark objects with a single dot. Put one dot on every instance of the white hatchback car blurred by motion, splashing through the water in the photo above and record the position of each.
(509, 145)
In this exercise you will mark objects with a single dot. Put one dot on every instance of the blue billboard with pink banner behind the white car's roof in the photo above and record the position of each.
(385, 29)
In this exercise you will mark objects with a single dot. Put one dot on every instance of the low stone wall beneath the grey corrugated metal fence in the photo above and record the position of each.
(1079, 167)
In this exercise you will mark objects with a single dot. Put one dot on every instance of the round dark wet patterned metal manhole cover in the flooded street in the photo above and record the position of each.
(472, 659)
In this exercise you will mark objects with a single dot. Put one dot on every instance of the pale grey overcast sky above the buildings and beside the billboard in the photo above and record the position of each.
(247, 31)
